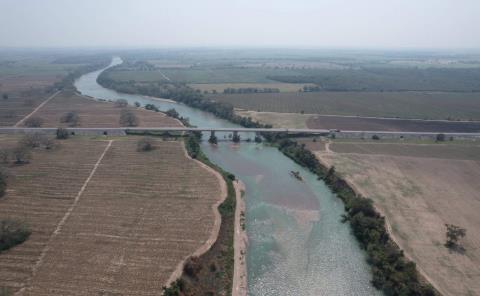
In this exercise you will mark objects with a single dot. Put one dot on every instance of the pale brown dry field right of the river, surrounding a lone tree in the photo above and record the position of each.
(419, 188)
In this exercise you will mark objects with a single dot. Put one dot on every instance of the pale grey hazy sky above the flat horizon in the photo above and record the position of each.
(263, 23)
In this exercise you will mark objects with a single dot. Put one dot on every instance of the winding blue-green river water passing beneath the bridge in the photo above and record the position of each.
(297, 244)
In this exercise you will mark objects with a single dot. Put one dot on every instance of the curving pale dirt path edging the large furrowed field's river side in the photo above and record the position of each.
(207, 245)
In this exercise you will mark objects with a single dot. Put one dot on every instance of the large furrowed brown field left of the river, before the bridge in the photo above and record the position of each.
(138, 217)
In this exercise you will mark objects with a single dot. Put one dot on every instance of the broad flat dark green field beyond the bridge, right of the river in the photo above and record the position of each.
(421, 105)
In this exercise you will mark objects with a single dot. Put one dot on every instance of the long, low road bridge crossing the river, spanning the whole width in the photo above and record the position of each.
(119, 131)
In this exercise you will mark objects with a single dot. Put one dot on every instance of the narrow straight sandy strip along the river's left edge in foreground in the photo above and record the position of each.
(239, 286)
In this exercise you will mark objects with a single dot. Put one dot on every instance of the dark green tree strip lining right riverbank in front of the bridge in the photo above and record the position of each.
(392, 272)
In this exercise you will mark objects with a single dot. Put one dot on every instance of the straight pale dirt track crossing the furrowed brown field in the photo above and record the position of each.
(60, 224)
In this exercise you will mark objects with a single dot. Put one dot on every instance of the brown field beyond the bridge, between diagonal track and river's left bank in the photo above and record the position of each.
(96, 114)
